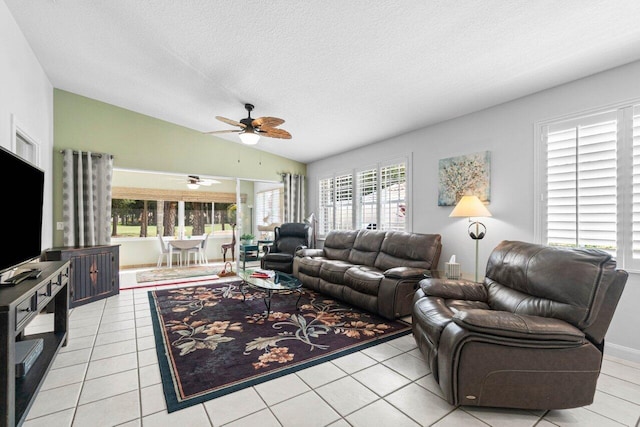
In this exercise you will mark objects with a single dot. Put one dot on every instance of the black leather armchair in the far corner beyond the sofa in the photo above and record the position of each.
(288, 238)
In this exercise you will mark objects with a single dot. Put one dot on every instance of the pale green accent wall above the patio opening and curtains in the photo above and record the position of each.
(142, 142)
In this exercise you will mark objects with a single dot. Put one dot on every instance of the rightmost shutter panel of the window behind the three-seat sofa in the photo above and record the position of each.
(393, 182)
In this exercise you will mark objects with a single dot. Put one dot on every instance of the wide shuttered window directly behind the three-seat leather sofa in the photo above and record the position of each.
(373, 197)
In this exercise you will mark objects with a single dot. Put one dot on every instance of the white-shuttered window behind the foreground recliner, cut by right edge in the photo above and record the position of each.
(590, 189)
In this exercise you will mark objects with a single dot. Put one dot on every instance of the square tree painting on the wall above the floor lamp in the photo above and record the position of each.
(467, 174)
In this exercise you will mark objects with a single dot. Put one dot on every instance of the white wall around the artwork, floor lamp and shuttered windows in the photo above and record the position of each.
(507, 131)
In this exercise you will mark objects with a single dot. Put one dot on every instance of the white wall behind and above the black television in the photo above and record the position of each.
(26, 99)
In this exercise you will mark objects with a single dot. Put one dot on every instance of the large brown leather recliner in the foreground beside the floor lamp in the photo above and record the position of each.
(530, 336)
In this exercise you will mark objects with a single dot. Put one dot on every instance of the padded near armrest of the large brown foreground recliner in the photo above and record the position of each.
(511, 325)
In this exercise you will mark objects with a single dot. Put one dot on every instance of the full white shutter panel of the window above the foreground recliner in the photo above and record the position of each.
(581, 189)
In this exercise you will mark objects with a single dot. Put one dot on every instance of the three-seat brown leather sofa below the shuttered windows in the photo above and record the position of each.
(372, 269)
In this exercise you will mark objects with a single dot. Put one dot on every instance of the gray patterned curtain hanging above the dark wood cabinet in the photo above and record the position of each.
(86, 198)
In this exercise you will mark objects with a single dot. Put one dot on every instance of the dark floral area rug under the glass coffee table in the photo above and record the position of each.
(211, 342)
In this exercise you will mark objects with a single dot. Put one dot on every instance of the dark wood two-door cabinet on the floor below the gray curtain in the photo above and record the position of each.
(94, 271)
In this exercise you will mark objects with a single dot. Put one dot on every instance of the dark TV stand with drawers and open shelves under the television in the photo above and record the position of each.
(19, 305)
